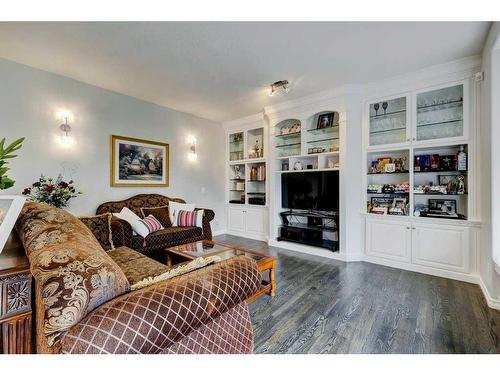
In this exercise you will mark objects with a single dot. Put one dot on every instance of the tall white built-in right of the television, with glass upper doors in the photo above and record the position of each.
(429, 120)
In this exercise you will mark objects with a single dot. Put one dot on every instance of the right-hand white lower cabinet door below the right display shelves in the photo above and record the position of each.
(441, 246)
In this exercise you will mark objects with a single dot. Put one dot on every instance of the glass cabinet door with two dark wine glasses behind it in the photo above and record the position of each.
(388, 122)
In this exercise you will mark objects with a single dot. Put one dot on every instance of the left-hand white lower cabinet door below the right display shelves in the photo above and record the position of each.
(388, 239)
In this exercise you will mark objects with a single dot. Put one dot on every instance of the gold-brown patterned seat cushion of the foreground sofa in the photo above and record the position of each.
(135, 265)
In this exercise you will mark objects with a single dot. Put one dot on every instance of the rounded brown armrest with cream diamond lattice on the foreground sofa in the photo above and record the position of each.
(151, 319)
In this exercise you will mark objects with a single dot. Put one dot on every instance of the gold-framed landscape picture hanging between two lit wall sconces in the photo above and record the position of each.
(138, 162)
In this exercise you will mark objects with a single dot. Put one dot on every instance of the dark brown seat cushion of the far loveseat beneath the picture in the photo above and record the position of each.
(168, 237)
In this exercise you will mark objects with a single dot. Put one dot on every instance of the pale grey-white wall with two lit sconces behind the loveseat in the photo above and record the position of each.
(29, 99)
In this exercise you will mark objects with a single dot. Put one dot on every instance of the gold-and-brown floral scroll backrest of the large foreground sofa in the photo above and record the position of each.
(72, 272)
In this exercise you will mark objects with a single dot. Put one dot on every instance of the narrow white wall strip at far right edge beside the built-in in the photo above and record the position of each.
(490, 164)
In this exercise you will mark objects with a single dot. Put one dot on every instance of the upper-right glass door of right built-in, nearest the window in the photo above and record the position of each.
(440, 113)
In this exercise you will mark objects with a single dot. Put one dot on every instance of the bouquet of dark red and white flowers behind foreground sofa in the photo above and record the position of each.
(56, 192)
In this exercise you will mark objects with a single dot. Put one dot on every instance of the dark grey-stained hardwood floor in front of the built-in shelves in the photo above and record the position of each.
(328, 306)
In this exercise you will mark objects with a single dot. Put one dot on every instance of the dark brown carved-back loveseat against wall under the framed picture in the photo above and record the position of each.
(170, 236)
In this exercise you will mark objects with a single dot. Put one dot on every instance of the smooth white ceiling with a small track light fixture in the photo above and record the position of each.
(221, 71)
